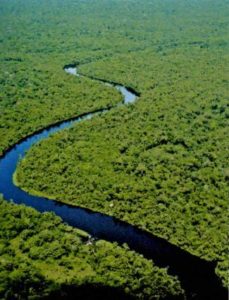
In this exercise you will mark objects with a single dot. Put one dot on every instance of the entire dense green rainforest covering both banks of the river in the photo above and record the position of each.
(160, 163)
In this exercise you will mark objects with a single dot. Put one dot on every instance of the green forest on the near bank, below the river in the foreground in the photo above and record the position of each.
(39, 254)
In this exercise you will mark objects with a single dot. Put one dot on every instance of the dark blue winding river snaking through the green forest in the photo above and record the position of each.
(197, 276)
